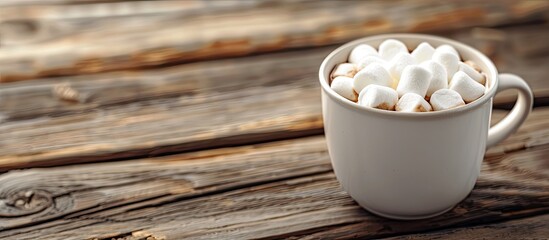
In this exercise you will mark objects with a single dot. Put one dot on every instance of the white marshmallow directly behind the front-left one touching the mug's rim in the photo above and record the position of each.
(374, 73)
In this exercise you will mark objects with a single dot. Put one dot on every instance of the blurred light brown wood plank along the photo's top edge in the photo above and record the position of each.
(90, 38)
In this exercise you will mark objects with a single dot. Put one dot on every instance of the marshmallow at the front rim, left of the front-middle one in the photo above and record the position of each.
(376, 96)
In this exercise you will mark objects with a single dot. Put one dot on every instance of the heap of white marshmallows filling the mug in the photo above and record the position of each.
(392, 78)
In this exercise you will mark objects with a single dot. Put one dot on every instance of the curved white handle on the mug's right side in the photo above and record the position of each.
(518, 114)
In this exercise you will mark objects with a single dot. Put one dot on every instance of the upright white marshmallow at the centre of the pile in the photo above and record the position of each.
(414, 79)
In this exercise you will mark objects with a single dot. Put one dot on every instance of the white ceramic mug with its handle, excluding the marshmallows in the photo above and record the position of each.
(414, 165)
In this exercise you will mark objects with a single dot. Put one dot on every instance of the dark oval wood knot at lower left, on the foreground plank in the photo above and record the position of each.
(25, 202)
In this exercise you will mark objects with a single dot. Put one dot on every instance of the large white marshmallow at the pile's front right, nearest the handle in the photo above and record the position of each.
(466, 87)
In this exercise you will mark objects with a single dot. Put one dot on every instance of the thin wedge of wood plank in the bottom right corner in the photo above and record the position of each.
(530, 228)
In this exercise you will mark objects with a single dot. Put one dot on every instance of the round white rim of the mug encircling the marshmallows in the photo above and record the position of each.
(491, 74)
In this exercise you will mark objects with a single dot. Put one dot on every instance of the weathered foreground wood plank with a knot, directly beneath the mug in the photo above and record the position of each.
(276, 190)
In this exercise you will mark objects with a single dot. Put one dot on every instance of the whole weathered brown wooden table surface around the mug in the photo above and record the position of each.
(202, 119)
